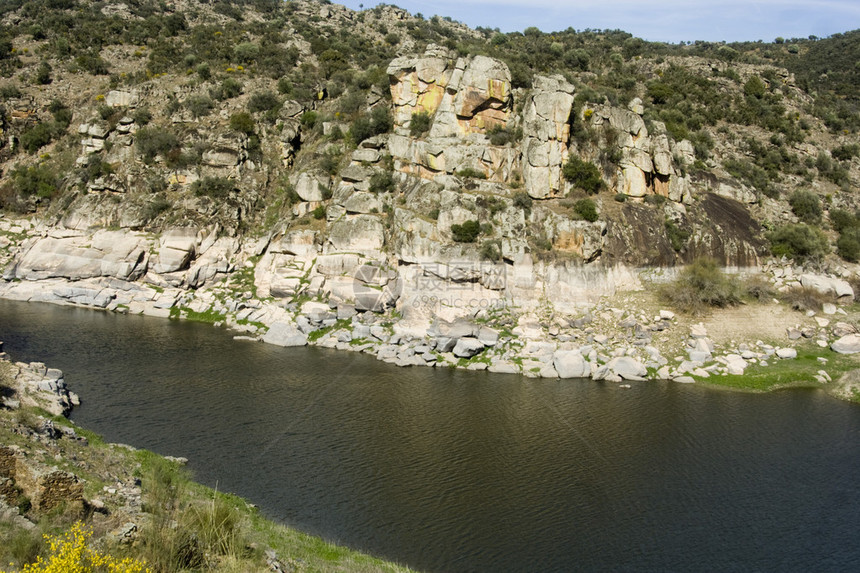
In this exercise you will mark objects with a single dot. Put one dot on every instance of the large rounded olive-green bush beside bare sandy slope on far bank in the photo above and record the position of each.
(701, 285)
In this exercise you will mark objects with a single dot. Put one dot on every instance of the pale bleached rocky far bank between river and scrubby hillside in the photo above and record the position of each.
(621, 333)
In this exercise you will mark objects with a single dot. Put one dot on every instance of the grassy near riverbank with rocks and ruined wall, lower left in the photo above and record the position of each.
(138, 504)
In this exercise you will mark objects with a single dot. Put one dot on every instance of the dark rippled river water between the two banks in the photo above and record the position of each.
(462, 471)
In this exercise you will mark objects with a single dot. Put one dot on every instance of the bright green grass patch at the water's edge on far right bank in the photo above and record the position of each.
(799, 372)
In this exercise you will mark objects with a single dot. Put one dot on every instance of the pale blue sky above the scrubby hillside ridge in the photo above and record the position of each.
(666, 20)
